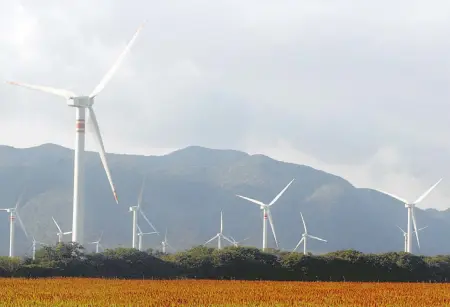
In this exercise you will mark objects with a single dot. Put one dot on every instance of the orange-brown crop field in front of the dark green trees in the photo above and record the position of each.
(101, 292)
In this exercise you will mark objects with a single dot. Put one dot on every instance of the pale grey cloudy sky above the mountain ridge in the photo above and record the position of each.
(355, 88)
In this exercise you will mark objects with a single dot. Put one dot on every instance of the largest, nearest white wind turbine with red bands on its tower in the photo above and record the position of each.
(81, 103)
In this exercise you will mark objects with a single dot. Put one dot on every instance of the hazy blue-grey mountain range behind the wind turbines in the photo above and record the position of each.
(185, 192)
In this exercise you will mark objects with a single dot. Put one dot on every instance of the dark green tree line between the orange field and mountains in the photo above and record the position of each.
(243, 263)
